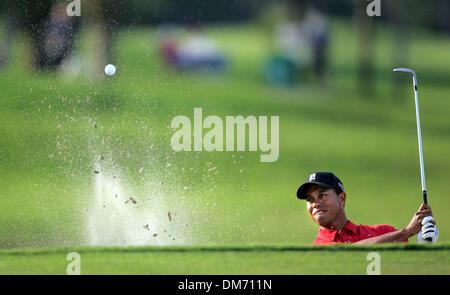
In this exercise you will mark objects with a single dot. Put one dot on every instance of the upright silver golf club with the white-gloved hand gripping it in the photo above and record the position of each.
(429, 231)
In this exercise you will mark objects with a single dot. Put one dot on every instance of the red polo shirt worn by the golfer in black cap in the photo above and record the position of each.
(351, 233)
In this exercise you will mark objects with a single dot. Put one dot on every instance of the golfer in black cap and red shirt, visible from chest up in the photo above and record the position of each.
(325, 198)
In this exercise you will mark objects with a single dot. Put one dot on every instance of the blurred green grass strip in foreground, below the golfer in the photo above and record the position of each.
(237, 260)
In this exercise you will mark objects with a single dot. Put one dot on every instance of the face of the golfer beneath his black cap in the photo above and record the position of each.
(323, 204)
